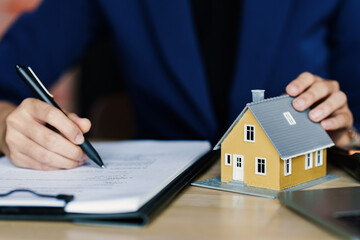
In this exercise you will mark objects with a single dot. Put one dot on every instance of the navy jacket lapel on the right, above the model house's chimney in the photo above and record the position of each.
(262, 27)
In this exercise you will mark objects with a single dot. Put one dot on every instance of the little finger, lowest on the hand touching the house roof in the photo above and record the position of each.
(340, 119)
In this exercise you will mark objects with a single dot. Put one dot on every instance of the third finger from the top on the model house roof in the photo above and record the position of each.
(334, 102)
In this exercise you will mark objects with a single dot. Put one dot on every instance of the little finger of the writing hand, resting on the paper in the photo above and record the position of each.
(42, 155)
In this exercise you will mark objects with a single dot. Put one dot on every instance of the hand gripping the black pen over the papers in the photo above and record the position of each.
(29, 143)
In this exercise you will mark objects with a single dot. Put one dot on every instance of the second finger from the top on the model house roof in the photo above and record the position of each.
(314, 93)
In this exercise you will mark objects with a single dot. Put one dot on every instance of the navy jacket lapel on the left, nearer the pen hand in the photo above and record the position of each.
(175, 33)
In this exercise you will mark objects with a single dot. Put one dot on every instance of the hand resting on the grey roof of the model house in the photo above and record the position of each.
(327, 102)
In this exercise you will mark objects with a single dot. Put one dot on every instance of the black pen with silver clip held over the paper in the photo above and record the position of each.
(30, 78)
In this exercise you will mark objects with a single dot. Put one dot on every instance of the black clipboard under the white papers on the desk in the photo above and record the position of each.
(139, 218)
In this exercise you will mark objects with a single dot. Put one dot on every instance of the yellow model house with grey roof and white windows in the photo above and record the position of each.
(271, 145)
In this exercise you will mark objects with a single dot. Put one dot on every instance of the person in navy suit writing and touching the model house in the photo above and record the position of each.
(189, 67)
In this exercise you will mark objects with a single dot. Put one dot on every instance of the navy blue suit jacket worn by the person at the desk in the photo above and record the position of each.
(158, 54)
